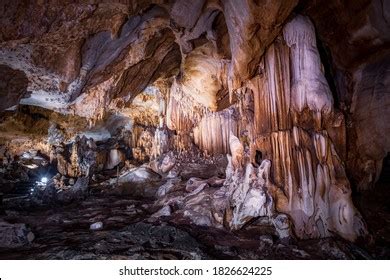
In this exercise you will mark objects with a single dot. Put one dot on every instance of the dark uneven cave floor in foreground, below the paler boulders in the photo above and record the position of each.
(63, 232)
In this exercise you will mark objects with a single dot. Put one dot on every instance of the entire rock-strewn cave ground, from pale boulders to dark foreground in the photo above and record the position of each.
(169, 208)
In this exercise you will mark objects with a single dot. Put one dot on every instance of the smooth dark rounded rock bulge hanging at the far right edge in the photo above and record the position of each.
(369, 131)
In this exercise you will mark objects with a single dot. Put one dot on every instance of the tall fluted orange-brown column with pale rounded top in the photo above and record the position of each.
(311, 185)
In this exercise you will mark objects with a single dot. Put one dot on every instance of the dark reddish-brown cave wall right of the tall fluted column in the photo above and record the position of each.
(355, 36)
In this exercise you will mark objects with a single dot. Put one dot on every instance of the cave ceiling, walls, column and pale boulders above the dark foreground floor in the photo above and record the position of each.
(243, 113)
